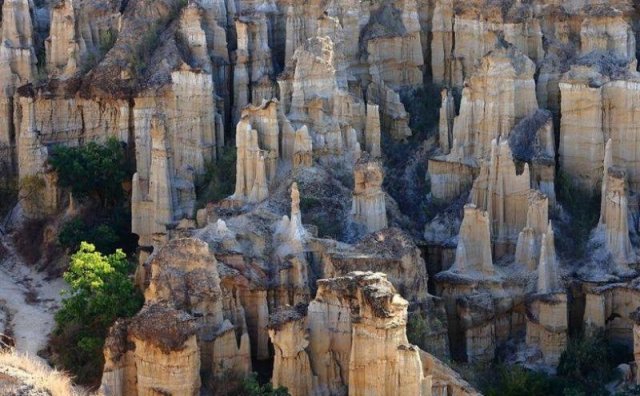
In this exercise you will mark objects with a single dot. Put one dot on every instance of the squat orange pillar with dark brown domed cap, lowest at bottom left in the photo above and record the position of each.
(153, 353)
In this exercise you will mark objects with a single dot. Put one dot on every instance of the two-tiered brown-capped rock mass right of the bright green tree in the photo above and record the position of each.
(189, 325)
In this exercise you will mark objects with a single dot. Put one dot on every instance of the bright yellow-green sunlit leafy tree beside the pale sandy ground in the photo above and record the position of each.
(100, 292)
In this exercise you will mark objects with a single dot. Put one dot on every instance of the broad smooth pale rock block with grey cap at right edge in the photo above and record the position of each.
(588, 97)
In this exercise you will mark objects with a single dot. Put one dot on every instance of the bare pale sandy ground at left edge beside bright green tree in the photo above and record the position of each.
(30, 300)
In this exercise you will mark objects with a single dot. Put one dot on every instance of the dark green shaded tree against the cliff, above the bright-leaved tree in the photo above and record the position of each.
(92, 170)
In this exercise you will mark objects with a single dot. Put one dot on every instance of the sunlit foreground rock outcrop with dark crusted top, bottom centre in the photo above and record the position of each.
(358, 307)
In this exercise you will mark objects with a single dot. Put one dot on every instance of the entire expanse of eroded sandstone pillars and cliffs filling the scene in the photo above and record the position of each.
(340, 165)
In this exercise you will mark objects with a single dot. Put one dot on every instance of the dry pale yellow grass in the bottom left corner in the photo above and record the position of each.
(38, 374)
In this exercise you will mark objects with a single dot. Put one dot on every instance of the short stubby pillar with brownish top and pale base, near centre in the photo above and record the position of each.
(369, 207)
